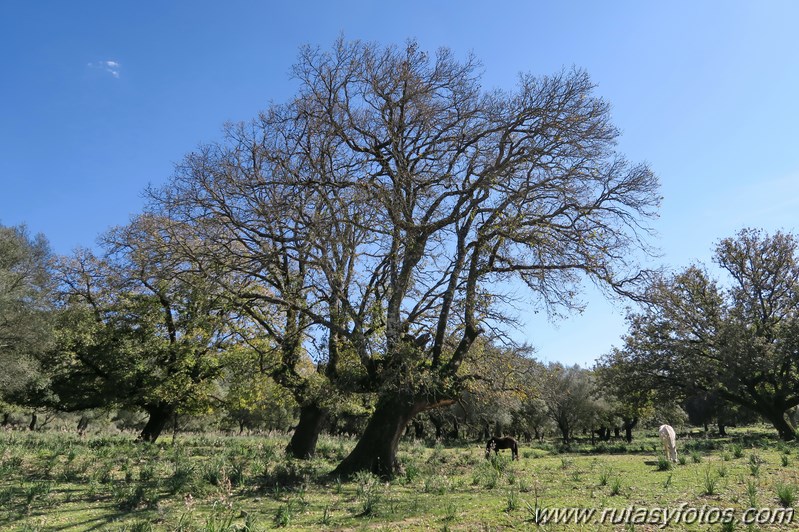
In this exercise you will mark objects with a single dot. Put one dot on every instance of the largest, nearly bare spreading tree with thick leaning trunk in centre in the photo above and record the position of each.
(408, 205)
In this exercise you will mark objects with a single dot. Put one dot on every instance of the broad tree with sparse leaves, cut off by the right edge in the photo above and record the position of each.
(739, 342)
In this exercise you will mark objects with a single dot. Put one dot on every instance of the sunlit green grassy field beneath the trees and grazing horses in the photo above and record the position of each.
(58, 481)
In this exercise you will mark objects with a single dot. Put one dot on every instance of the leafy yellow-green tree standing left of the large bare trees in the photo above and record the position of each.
(138, 329)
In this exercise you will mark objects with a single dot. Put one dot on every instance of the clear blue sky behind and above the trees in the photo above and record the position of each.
(98, 99)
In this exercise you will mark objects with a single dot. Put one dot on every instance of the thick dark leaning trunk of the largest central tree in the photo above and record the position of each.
(376, 450)
